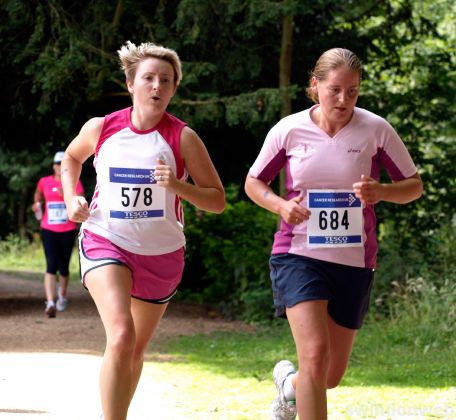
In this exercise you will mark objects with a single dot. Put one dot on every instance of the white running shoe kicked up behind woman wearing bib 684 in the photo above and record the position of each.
(281, 409)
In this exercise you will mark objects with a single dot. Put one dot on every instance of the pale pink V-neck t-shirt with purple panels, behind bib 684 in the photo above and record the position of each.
(314, 160)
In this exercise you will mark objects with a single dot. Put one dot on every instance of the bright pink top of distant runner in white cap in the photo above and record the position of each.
(55, 217)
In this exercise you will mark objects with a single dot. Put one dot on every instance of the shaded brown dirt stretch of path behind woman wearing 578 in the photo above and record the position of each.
(24, 328)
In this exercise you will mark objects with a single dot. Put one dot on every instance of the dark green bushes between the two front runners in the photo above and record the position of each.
(227, 262)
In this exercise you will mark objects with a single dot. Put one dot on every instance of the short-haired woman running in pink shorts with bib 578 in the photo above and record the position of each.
(132, 241)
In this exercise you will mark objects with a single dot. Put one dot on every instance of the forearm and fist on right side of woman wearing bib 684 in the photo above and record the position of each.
(370, 191)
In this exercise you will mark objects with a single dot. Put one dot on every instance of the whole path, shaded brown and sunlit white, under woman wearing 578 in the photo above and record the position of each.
(49, 367)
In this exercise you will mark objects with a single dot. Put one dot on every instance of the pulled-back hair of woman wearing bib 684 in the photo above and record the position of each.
(332, 60)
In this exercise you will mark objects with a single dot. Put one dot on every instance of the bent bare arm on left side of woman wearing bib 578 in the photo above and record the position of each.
(77, 152)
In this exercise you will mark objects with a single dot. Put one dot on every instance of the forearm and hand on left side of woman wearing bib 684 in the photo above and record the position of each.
(262, 194)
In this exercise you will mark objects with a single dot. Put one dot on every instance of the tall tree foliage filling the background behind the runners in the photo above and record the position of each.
(59, 67)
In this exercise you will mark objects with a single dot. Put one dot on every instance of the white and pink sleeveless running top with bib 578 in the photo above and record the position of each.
(128, 207)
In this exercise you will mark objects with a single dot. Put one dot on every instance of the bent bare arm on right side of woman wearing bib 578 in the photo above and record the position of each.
(207, 192)
